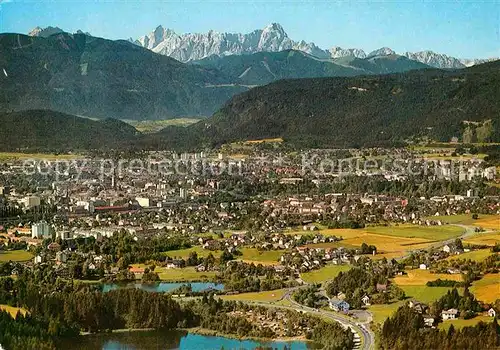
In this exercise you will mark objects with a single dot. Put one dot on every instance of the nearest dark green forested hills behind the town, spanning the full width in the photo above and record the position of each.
(370, 110)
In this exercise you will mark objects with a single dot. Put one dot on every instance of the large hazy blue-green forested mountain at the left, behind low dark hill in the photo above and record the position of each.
(84, 75)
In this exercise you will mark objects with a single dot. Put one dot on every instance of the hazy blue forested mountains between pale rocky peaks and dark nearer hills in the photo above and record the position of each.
(84, 75)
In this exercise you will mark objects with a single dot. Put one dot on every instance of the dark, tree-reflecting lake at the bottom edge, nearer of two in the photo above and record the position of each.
(182, 340)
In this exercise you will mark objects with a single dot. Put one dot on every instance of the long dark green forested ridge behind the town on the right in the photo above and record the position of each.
(378, 110)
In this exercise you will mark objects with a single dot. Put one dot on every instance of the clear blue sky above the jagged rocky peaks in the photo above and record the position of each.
(465, 29)
